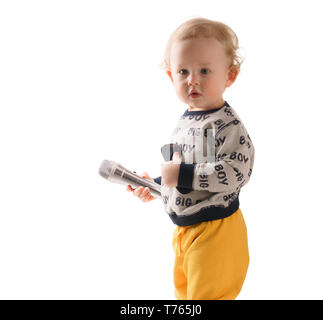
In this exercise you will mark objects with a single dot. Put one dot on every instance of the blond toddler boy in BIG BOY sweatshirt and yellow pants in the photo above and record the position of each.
(200, 184)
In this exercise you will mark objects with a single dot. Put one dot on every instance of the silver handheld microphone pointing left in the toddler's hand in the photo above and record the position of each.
(115, 172)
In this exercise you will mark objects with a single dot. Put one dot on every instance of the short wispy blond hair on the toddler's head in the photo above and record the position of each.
(200, 27)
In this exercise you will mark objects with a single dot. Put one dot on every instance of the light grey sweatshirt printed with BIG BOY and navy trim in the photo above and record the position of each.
(217, 161)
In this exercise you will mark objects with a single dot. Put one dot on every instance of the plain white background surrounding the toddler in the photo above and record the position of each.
(80, 82)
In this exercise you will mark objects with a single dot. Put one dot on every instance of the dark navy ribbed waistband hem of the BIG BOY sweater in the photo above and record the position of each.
(206, 214)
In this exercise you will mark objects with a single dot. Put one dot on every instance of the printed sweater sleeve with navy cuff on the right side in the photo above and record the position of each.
(232, 165)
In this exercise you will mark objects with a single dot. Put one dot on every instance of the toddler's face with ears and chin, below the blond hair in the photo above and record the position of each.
(200, 72)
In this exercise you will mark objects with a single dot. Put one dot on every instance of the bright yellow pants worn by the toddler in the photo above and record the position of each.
(211, 259)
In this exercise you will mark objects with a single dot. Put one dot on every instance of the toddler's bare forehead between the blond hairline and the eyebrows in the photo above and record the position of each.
(198, 50)
